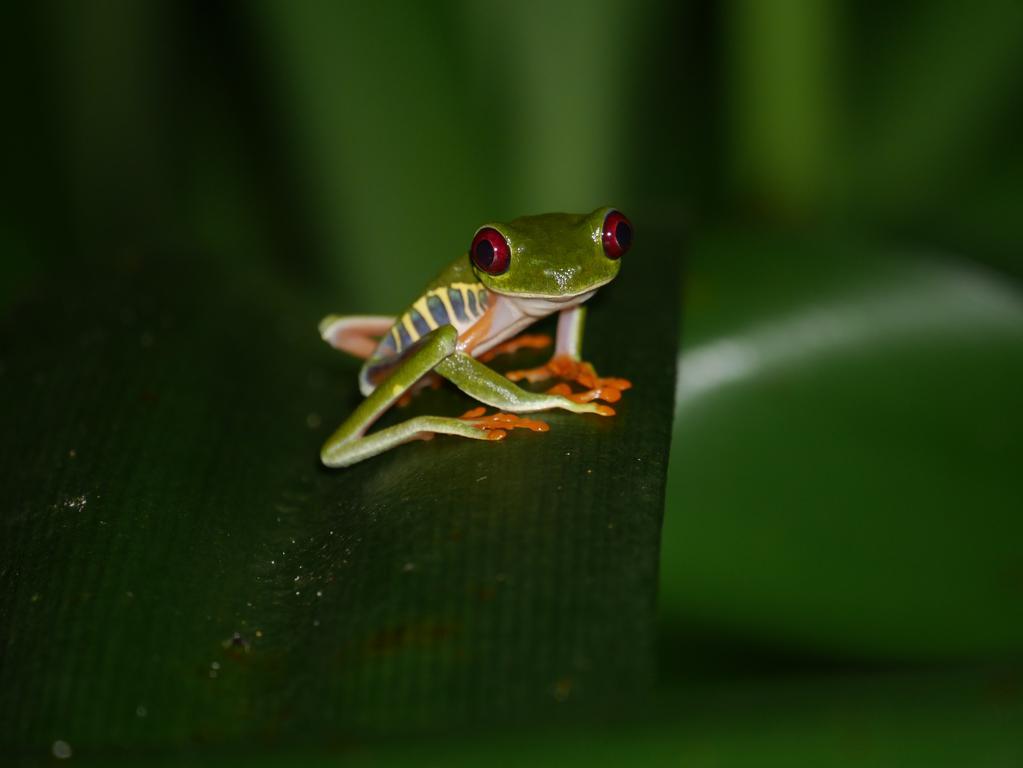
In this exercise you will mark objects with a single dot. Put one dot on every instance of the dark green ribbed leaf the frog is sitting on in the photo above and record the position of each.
(177, 570)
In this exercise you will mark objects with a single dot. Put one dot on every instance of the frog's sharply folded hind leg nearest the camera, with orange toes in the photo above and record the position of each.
(350, 443)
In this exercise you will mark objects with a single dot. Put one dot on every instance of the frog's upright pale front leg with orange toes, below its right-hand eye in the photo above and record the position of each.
(567, 365)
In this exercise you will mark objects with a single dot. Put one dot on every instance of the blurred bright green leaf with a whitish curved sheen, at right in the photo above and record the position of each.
(846, 468)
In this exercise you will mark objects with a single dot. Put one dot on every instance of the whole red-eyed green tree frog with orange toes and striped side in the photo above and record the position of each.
(513, 276)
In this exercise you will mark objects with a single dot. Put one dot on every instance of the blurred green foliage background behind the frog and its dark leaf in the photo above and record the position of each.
(841, 569)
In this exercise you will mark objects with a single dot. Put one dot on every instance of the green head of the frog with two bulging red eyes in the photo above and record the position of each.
(553, 256)
